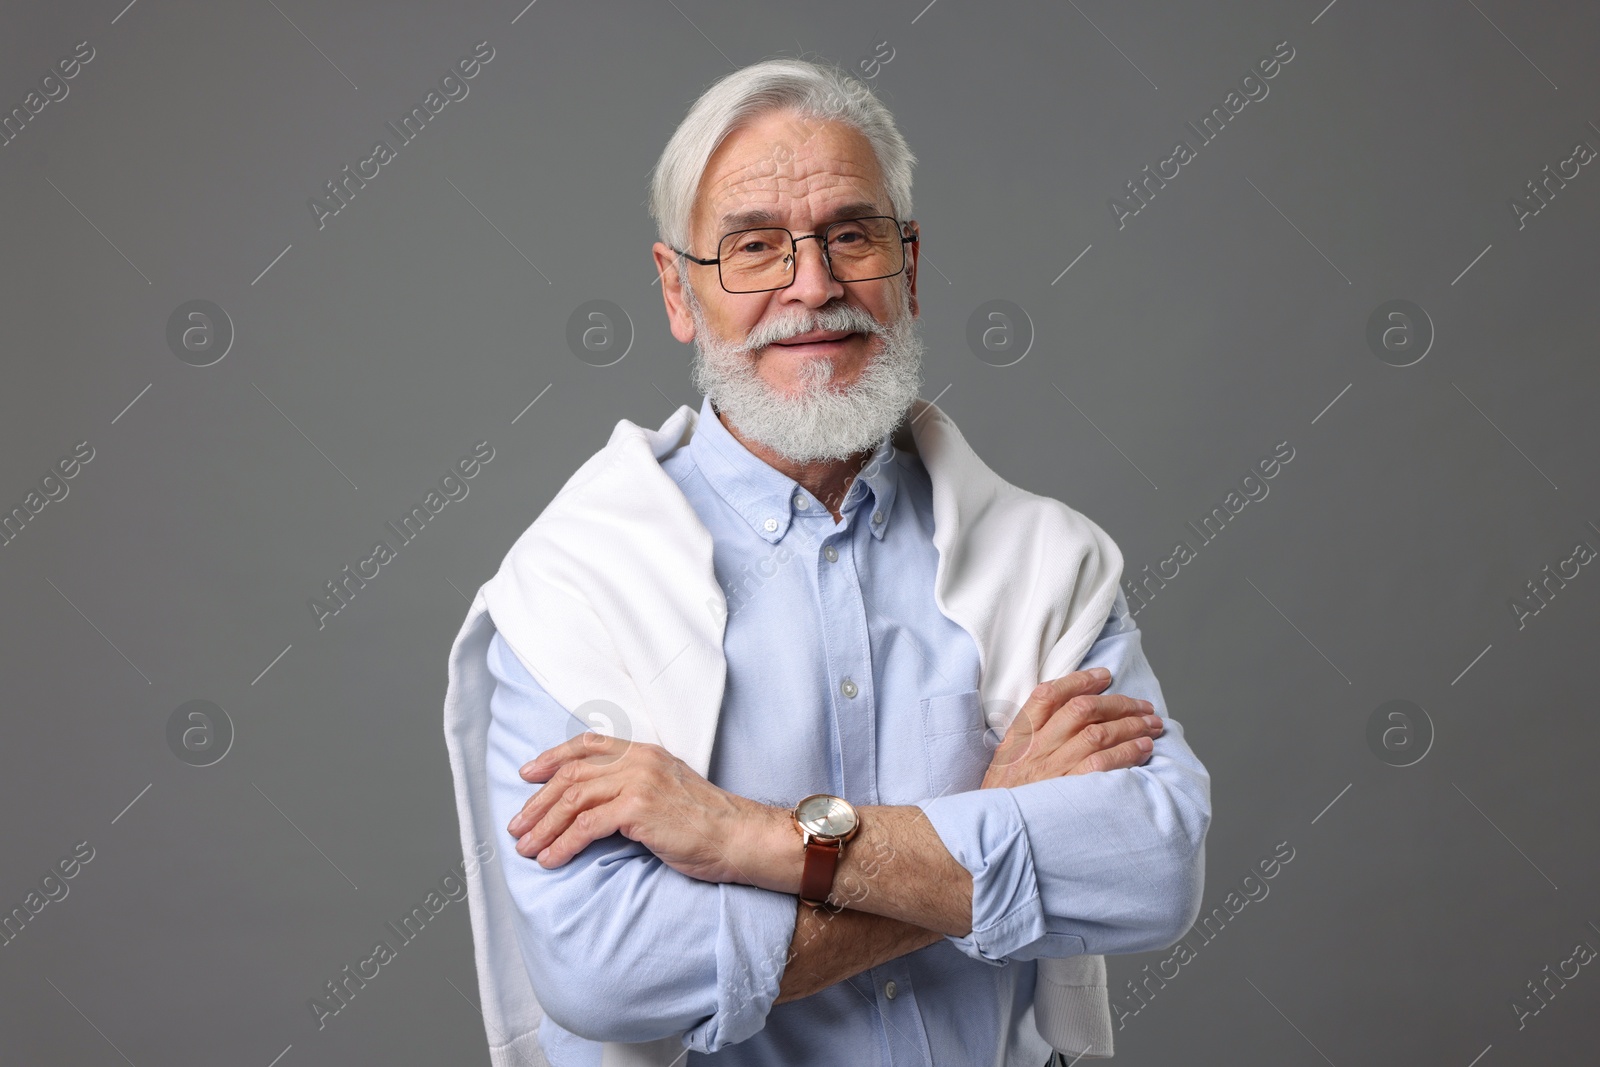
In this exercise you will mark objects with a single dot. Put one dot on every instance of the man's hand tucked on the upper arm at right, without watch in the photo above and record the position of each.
(1071, 727)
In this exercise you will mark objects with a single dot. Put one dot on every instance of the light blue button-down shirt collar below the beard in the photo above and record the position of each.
(766, 498)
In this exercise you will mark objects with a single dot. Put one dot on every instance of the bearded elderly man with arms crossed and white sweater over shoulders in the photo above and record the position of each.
(732, 703)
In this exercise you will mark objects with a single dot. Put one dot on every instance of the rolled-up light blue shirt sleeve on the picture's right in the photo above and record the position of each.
(1103, 863)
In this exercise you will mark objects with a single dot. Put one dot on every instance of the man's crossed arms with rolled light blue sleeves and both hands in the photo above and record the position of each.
(657, 903)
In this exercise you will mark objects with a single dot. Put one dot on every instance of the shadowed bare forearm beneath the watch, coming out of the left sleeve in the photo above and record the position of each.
(833, 946)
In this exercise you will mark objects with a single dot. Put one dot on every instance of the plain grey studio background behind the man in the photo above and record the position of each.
(1226, 318)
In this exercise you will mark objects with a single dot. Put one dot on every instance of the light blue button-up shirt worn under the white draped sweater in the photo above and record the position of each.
(844, 677)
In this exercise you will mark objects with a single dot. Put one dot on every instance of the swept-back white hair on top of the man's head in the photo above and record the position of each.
(815, 92)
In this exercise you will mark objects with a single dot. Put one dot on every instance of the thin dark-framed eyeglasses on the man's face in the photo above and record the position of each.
(855, 250)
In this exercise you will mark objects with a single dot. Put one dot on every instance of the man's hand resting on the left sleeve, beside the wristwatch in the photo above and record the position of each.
(596, 786)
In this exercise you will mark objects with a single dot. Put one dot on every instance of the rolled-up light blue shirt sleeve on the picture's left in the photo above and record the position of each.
(618, 946)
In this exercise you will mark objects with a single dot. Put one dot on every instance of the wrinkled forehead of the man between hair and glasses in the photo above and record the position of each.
(788, 170)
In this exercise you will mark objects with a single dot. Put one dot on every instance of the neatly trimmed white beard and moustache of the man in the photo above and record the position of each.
(820, 423)
